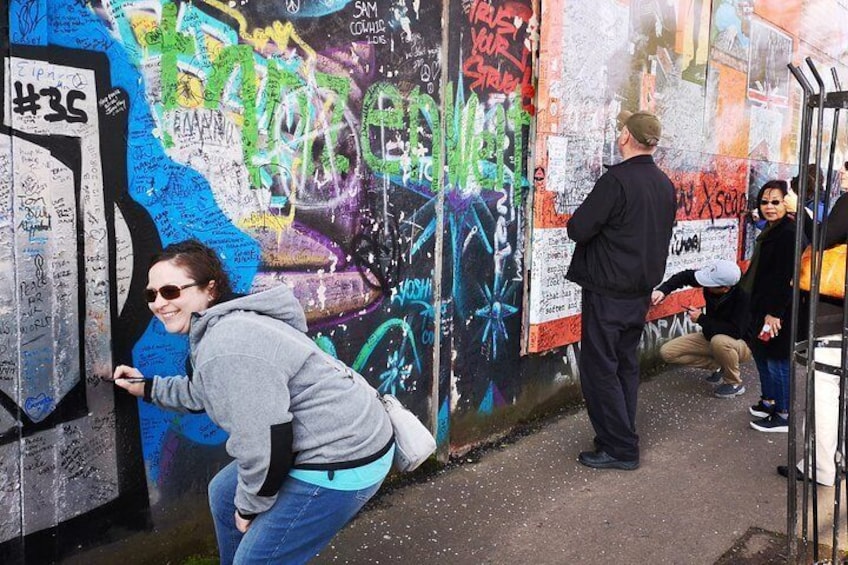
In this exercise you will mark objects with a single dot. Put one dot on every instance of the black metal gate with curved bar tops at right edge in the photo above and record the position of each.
(818, 101)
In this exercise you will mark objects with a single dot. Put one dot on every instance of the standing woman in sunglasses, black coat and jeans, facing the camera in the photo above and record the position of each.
(768, 282)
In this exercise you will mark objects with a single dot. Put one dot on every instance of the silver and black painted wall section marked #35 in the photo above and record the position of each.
(62, 454)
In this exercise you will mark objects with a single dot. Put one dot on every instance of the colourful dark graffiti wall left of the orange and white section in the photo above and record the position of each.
(369, 154)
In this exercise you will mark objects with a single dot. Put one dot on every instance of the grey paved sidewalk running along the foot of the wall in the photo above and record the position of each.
(706, 492)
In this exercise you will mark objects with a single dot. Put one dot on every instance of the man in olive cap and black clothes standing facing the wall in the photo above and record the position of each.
(622, 230)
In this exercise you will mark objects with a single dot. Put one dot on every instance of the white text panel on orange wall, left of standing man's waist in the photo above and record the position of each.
(551, 296)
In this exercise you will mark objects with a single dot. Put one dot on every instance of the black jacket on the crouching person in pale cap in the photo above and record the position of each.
(726, 314)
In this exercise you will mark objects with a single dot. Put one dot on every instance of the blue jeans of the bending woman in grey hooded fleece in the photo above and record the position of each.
(301, 522)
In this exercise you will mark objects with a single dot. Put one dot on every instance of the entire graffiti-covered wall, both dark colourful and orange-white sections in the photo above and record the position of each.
(374, 155)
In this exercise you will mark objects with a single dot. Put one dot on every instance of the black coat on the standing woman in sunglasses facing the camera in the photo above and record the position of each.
(771, 290)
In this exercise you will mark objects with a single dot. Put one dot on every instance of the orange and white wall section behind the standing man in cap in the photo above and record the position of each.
(716, 74)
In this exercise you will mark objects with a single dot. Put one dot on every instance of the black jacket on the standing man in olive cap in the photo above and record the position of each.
(623, 229)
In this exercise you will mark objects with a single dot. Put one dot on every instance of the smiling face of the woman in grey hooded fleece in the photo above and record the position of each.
(175, 314)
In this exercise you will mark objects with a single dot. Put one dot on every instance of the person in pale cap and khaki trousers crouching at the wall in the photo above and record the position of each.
(724, 320)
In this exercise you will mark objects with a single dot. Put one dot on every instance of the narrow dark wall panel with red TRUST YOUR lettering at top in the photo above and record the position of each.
(489, 105)
